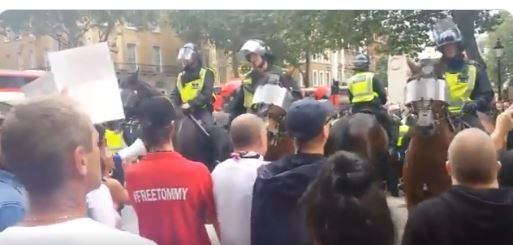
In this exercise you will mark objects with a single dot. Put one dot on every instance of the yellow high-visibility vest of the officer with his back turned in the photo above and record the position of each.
(360, 86)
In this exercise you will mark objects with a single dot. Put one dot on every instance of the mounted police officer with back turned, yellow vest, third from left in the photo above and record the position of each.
(367, 94)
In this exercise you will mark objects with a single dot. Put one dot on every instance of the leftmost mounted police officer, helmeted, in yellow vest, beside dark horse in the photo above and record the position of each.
(194, 92)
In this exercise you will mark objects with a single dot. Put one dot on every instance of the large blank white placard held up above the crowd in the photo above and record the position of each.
(87, 73)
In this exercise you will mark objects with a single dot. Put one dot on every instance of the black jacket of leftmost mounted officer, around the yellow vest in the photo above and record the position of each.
(205, 95)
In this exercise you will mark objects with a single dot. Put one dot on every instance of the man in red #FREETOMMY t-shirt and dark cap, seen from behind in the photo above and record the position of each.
(172, 195)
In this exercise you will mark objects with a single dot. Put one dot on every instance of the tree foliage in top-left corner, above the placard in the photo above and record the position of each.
(67, 27)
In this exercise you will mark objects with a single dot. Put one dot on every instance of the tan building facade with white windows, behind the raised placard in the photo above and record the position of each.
(154, 52)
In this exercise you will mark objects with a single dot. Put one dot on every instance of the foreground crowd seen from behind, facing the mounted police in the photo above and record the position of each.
(54, 163)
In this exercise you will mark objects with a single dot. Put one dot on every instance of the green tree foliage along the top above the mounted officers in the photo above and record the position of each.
(296, 35)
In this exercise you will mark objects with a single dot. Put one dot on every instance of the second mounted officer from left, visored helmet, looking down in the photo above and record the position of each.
(261, 58)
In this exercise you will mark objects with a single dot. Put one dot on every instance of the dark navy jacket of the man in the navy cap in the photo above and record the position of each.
(276, 215)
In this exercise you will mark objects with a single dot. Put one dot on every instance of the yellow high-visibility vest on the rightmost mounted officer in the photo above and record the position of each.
(461, 85)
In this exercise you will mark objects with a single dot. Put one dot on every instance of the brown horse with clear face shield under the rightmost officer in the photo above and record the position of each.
(424, 172)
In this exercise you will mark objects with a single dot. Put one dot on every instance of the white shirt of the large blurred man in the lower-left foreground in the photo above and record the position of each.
(82, 231)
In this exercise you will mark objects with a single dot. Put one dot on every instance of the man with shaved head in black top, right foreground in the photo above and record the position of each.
(474, 210)
